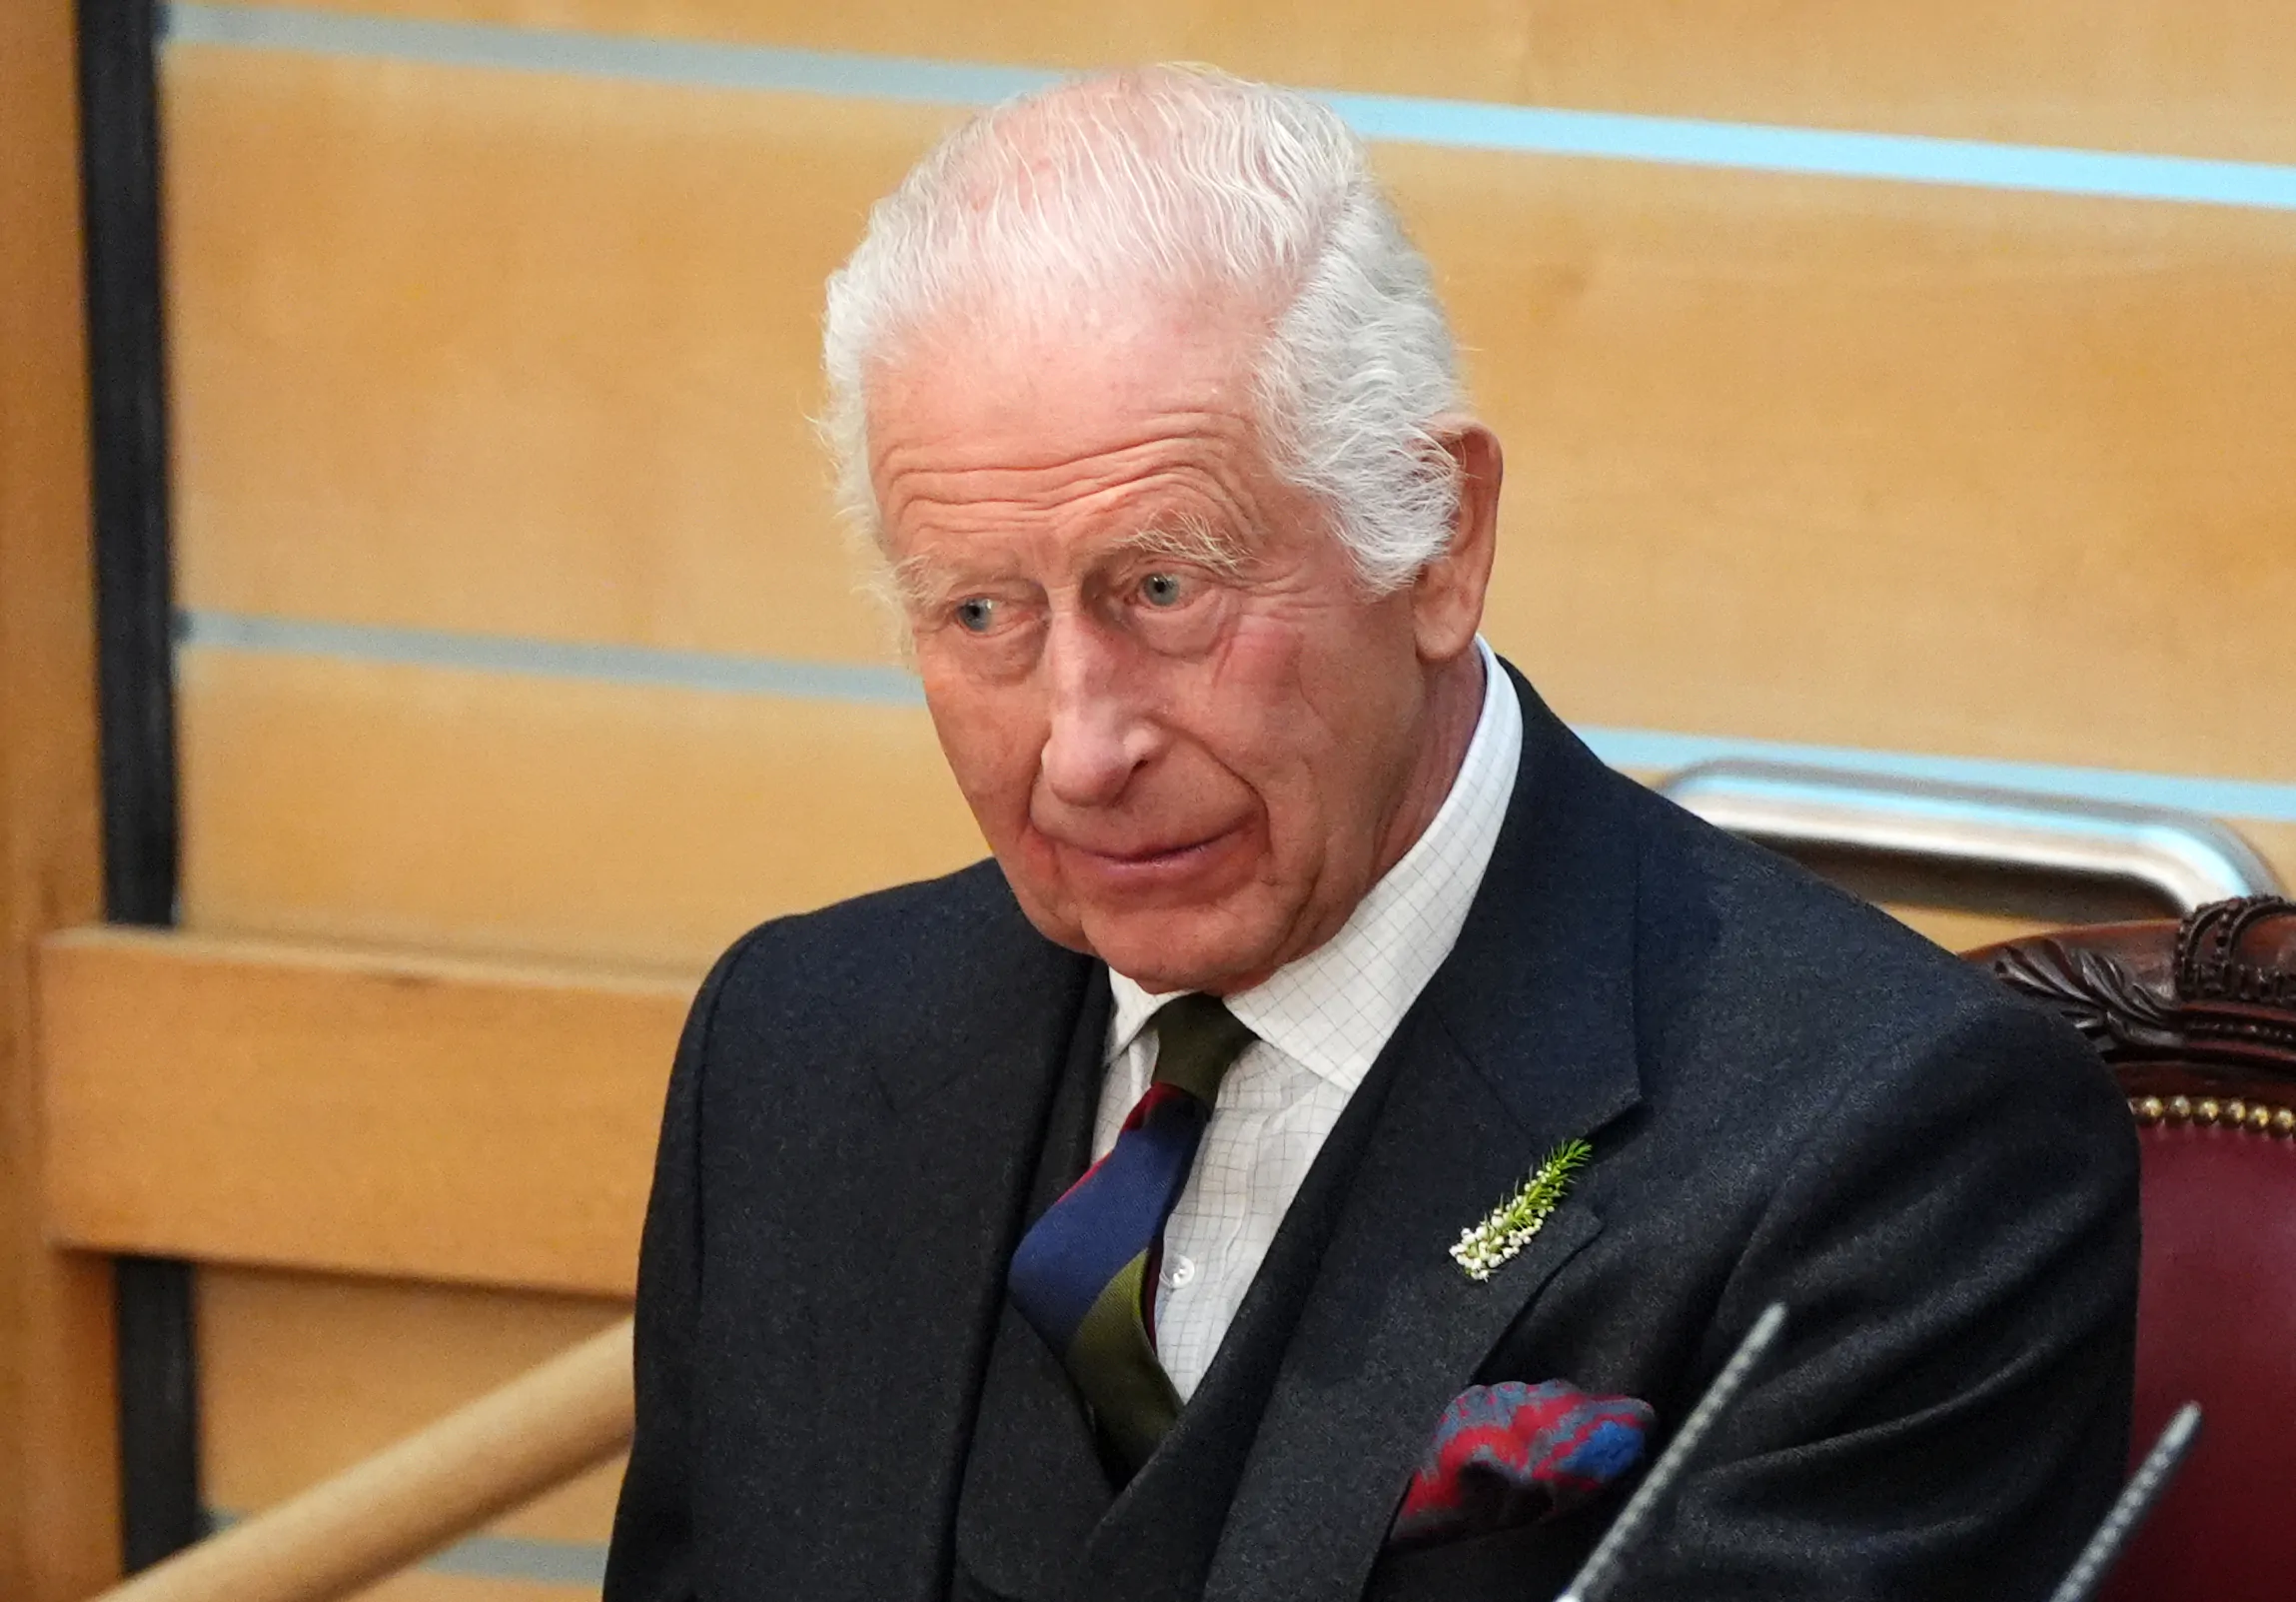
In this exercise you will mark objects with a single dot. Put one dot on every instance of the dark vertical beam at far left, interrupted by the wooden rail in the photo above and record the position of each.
(160, 1422)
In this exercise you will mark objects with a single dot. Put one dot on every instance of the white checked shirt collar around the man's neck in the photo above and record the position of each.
(1335, 1009)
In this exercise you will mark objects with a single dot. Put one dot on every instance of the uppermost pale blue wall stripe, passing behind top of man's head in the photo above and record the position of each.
(1535, 130)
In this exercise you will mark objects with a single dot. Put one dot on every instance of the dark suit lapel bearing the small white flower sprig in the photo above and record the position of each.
(1526, 1039)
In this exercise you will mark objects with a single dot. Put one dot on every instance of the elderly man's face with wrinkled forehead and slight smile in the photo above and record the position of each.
(1179, 720)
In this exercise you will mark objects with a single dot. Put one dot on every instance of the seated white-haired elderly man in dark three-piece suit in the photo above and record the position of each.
(1089, 1224)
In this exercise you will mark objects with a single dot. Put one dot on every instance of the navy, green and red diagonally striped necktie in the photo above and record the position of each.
(1085, 1275)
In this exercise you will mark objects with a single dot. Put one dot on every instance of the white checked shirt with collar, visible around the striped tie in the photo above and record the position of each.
(1321, 1022)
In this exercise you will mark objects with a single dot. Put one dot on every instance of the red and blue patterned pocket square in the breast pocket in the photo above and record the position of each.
(1512, 1454)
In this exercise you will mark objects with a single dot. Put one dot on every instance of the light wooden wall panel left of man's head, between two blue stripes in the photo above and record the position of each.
(509, 352)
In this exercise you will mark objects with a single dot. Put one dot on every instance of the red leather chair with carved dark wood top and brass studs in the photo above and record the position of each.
(2198, 1025)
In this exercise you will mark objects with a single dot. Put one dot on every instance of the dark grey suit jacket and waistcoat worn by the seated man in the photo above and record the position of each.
(1790, 1096)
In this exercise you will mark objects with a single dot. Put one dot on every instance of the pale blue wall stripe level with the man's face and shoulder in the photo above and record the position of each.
(867, 685)
